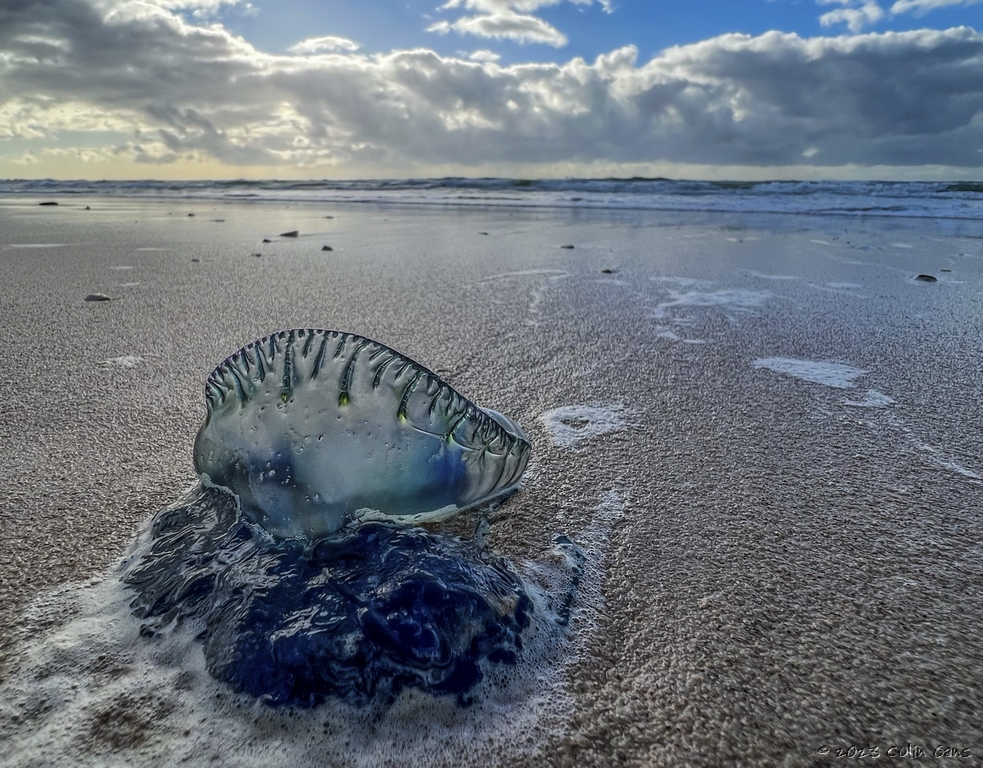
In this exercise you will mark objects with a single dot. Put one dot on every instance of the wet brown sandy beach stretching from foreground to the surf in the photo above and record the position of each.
(770, 450)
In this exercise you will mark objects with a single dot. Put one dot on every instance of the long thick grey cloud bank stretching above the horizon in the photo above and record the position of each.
(174, 91)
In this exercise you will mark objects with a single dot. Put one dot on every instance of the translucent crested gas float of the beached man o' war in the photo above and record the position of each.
(313, 428)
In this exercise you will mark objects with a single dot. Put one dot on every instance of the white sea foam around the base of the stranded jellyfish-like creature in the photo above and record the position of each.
(86, 689)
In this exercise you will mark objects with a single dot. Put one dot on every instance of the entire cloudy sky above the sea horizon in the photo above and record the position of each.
(178, 89)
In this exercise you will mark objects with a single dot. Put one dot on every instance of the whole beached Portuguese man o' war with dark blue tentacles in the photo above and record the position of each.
(298, 560)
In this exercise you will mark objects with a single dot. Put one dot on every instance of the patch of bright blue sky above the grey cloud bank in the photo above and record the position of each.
(380, 26)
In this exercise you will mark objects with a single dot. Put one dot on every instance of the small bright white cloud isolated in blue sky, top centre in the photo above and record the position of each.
(508, 20)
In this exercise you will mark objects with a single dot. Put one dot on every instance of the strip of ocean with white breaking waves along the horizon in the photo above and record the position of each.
(913, 199)
